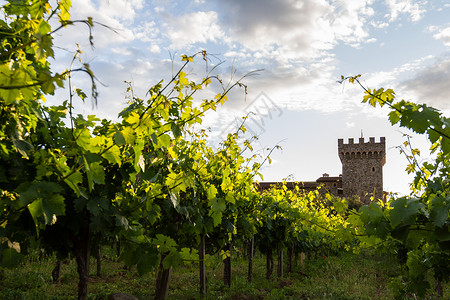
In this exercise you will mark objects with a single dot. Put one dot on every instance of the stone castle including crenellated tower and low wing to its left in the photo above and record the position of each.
(362, 171)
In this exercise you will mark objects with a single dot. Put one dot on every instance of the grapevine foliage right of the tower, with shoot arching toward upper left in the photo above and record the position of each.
(419, 222)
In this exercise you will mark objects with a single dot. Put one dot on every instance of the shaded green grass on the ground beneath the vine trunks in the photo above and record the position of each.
(345, 276)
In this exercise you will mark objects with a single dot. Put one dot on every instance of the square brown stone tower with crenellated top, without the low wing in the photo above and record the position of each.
(362, 168)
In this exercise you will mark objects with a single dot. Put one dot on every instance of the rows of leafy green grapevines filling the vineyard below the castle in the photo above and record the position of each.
(150, 185)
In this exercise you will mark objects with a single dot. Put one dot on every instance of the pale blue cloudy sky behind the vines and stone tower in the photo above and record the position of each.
(300, 49)
